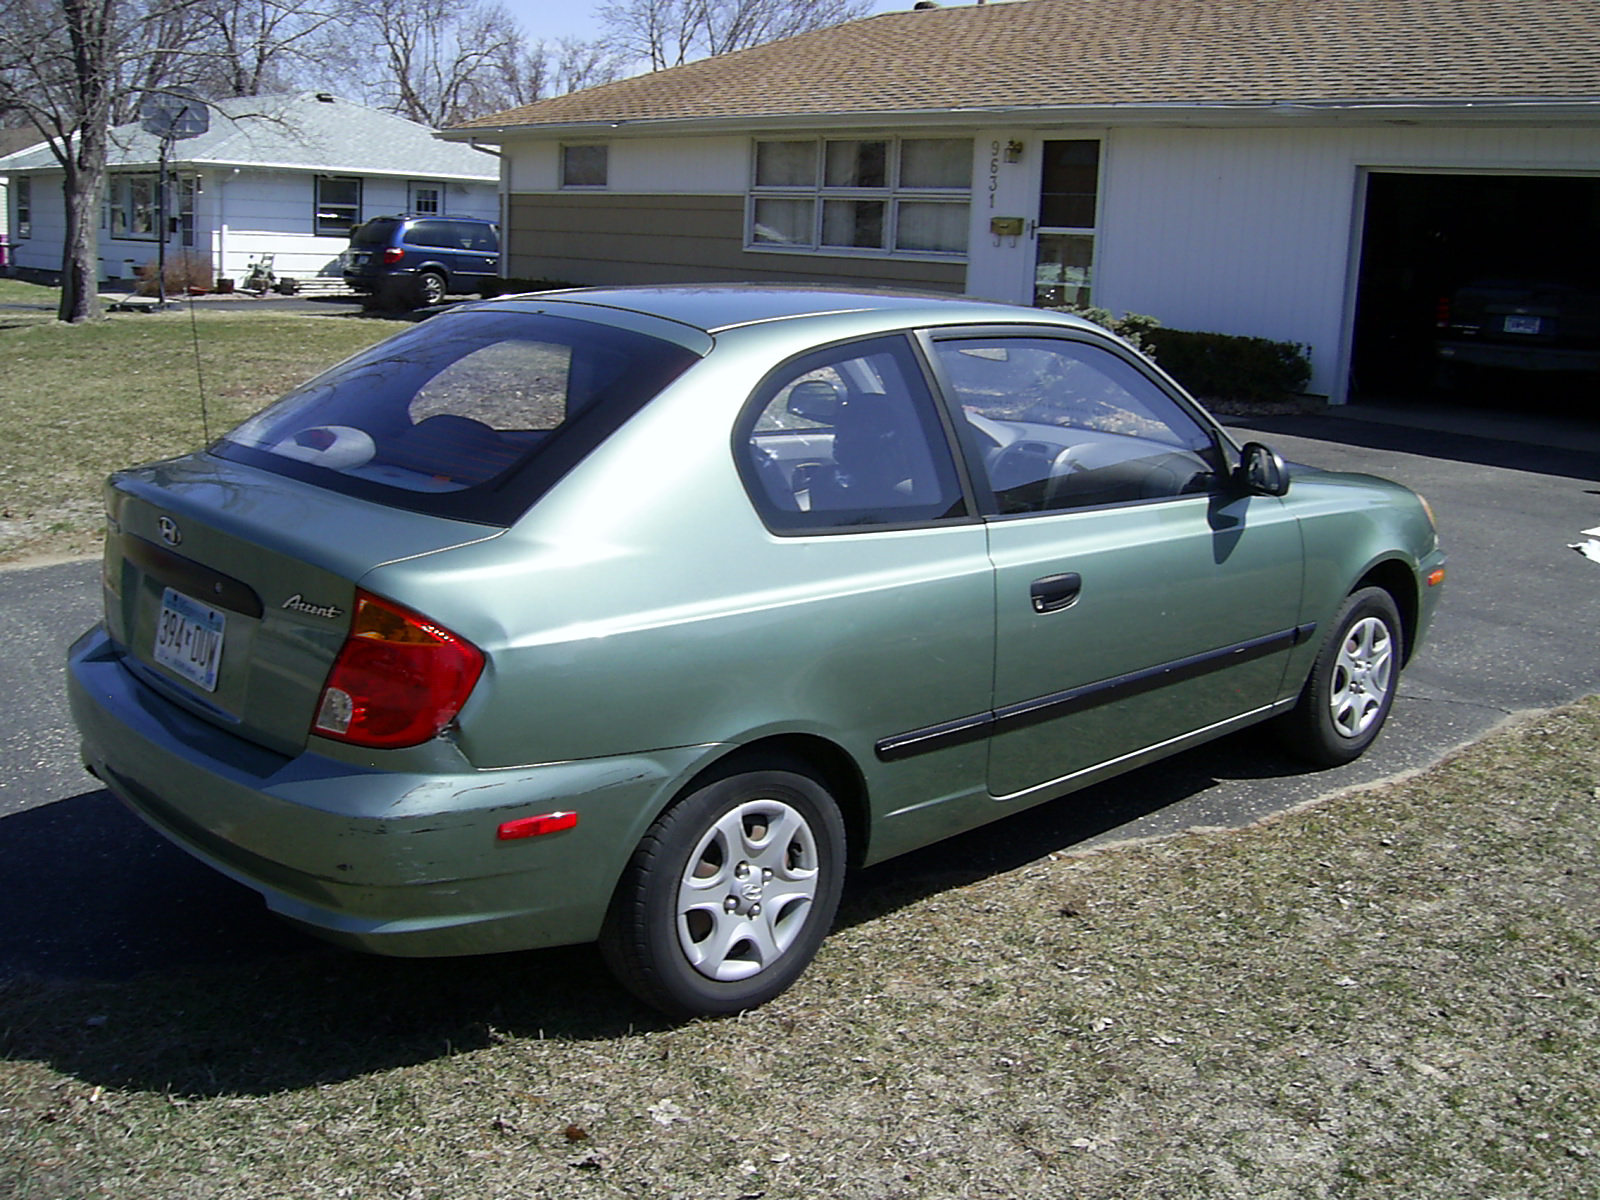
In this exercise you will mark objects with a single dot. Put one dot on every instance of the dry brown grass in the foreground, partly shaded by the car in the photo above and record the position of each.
(1394, 993)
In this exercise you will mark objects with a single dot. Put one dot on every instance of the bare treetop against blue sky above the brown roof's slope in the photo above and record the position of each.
(673, 33)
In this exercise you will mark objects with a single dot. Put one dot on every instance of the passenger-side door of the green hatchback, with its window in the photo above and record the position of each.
(1140, 593)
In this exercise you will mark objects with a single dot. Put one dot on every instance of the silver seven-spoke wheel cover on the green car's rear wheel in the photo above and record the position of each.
(748, 890)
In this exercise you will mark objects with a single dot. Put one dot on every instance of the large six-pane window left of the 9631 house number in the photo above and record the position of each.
(874, 196)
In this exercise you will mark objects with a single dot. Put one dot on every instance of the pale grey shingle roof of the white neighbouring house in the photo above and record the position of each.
(298, 132)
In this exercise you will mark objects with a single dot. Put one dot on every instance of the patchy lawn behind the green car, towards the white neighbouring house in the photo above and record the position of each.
(82, 401)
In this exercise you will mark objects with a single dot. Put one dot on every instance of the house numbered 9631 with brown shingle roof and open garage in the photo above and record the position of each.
(1319, 172)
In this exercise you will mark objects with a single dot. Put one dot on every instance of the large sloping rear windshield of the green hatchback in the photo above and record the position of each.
(468, 415)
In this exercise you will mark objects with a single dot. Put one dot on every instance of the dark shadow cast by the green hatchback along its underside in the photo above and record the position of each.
(127, 964)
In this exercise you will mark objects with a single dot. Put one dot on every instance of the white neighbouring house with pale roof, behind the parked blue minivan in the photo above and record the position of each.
(273, 175)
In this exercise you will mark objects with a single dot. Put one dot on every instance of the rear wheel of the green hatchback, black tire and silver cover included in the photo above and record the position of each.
(767, 903)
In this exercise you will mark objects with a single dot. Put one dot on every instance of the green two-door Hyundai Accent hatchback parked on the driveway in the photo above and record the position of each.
(638, 615)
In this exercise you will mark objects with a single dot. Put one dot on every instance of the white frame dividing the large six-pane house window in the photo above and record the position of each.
(894, 194)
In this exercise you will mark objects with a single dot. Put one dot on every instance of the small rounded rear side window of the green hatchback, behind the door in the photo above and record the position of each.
(849, 439)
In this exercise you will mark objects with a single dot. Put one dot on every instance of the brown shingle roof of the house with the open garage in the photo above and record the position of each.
(1071, 54)
